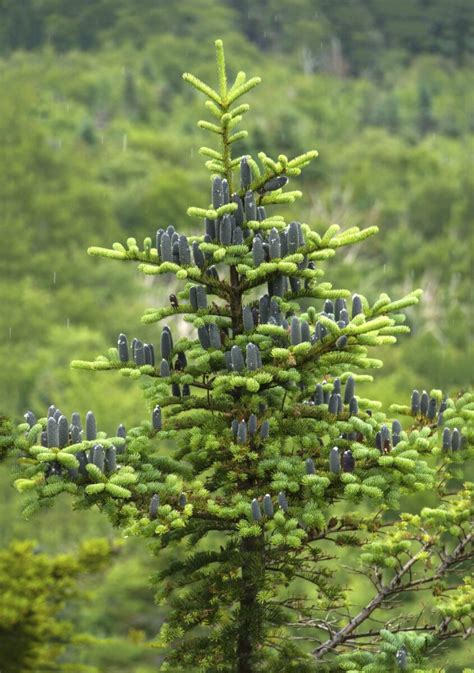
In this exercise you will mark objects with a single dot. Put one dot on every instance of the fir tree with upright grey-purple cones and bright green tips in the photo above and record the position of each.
(262, 469)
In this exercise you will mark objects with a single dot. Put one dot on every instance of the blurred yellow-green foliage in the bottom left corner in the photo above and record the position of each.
(36, 591)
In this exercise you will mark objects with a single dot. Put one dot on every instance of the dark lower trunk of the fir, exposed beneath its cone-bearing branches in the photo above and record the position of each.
(250, 617)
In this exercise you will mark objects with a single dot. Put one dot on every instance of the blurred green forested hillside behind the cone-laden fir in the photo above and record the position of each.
(99, 142)
